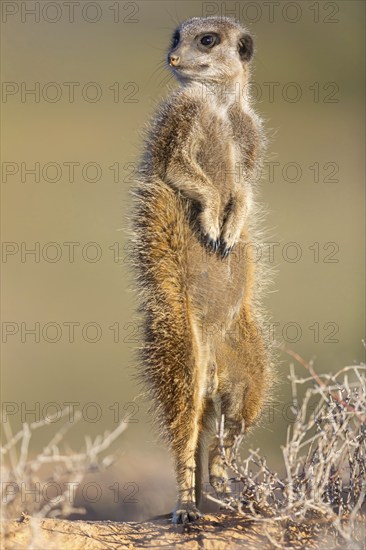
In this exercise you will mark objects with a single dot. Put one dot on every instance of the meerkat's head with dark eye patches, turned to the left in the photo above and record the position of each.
(210, 49)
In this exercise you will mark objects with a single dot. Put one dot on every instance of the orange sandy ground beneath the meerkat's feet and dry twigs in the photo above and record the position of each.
(214, 532)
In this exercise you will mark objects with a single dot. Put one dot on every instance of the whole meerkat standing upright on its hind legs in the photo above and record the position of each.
(204, 355)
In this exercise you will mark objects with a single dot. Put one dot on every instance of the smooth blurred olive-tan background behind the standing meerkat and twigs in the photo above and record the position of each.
(309, 54)
